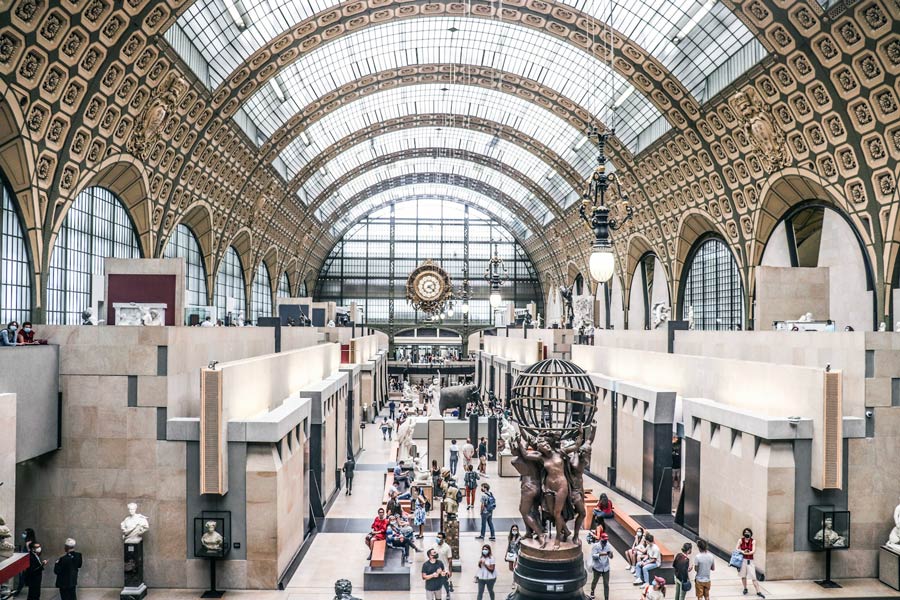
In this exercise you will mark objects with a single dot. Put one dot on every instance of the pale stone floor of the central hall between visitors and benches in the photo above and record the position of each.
(339, 553)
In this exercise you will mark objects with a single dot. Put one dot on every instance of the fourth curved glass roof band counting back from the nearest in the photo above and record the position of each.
(456, 138)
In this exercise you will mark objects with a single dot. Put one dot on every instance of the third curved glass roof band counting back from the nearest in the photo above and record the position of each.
(454, 100)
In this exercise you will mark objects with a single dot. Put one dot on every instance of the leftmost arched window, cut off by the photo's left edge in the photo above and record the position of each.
(15, 279)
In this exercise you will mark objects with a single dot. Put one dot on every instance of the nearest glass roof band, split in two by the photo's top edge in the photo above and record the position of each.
(689, 37)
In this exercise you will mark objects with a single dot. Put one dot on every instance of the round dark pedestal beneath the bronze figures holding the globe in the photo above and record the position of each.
(545, 573)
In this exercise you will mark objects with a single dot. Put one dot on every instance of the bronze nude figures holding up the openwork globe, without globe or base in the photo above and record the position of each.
(552, 490)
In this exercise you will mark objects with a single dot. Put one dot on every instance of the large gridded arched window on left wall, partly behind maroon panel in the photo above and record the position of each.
(96, 227)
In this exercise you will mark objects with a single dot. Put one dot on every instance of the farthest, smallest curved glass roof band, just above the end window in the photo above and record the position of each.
(433, 190)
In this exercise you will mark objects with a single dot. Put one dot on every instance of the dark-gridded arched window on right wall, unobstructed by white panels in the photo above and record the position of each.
(713, 288)
